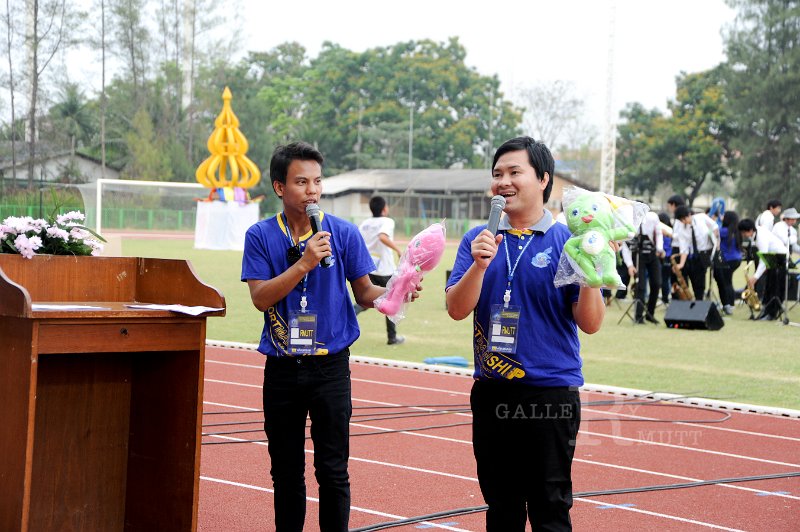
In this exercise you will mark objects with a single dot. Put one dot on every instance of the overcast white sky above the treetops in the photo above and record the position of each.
(522, 41)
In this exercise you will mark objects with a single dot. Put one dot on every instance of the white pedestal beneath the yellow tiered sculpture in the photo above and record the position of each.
(223, 224)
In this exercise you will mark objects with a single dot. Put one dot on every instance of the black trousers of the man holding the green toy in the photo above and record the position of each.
(524, 442)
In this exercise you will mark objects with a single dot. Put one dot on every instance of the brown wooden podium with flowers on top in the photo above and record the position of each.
(100, 409)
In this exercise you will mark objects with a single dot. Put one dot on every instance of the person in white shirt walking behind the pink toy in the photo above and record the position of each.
(378, 233)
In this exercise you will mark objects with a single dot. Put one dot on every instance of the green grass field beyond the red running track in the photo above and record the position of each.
(746, 361)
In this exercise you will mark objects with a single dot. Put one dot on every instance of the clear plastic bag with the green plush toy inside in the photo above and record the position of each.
(595, 219)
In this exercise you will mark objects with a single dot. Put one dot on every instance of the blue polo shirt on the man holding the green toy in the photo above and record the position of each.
(548, 349)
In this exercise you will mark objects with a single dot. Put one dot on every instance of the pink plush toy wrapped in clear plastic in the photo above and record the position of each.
(421, 256)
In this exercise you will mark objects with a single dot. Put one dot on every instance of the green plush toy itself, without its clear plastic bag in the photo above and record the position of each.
(591, 219)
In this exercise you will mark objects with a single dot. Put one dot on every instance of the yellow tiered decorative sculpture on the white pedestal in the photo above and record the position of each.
(227, 146)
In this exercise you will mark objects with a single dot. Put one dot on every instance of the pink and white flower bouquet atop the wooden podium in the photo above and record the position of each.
(58, 235)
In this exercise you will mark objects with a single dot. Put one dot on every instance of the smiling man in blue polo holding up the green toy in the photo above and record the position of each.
(525, 403)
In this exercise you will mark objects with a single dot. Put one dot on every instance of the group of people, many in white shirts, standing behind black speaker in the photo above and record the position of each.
(676, 253)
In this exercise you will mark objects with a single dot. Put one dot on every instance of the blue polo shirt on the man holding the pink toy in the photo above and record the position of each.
(265, 247)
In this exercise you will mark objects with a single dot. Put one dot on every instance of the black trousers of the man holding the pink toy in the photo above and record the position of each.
(319, 387)
